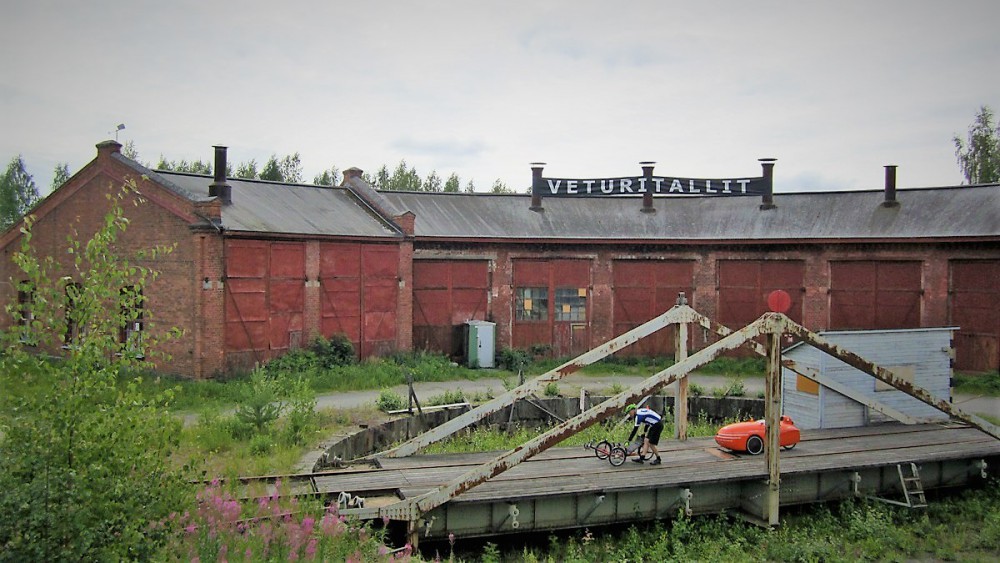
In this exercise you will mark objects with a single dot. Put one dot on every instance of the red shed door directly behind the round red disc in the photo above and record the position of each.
(745, 284)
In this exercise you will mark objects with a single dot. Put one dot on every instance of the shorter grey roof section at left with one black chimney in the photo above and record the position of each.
(276, 208)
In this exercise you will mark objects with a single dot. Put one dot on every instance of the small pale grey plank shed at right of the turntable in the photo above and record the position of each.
(922, 356)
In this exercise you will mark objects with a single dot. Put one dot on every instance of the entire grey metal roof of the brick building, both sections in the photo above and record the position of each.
(272, 207)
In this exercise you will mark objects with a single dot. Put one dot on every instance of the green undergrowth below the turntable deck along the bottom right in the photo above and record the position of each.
(855, 530)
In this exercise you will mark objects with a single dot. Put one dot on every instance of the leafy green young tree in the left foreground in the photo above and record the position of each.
(84, 470)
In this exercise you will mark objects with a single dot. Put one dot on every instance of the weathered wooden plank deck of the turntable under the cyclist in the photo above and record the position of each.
(559, 471)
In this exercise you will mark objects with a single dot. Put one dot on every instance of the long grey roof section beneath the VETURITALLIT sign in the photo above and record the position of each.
(965, 211)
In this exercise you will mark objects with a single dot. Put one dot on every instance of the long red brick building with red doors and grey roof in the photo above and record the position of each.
(264, 267)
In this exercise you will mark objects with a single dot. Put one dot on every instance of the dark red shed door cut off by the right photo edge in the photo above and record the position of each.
(975, 308)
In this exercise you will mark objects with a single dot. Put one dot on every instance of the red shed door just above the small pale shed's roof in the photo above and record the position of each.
(874, 295)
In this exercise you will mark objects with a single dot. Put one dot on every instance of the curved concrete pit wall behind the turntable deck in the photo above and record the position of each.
(374, 439)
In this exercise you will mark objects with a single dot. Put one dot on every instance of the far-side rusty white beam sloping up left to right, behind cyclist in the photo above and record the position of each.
(675, 314)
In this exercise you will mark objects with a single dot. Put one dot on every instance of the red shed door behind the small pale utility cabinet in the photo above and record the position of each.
(446, 294)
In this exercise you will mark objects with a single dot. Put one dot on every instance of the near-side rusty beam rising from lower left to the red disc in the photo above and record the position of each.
(411, 509)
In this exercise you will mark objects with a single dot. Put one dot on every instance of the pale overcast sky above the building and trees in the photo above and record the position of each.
(833, 90)
